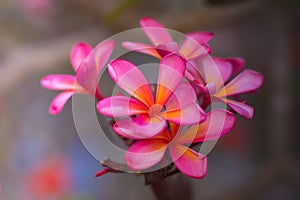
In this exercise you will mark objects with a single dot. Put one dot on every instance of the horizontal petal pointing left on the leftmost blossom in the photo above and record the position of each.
(59, 82)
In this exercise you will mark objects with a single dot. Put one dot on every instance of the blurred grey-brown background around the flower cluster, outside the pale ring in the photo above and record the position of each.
(42, 157)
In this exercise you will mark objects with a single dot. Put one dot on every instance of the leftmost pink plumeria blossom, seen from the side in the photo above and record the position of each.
(87, 69)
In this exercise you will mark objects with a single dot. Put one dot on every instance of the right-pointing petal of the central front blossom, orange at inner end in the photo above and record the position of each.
(190, 114)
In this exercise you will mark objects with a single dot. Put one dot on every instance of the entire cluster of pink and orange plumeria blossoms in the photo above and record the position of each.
(164, 120)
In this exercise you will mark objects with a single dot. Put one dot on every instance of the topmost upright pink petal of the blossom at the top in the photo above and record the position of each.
(156, 33)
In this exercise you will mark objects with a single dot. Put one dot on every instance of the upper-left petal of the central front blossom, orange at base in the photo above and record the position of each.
(127, 76)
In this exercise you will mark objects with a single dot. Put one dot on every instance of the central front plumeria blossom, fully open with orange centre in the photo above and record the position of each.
(149, 114)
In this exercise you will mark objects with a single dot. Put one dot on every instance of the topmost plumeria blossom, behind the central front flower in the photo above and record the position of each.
(193, 45)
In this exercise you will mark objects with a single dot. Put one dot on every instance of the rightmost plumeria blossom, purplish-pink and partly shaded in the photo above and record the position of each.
(212, 75)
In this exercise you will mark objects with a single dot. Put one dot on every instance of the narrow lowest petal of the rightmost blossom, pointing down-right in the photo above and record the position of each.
(241, 108)
